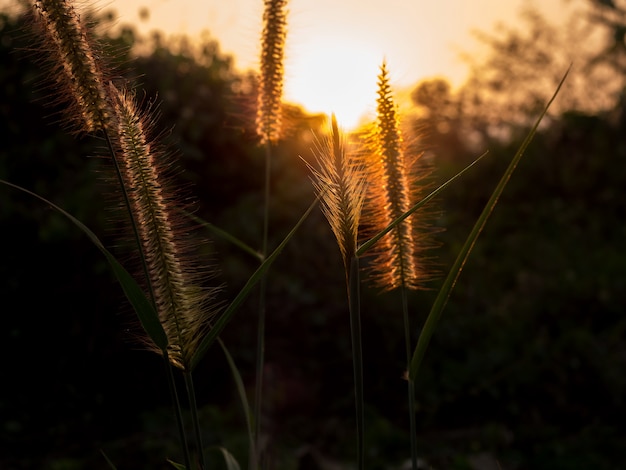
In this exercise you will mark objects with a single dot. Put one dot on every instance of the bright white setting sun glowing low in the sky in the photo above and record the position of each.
(334, 75)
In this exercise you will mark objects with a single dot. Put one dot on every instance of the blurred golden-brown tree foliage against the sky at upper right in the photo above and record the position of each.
(521, 66)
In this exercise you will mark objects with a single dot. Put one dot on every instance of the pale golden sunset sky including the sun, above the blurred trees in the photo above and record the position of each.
(335, 47)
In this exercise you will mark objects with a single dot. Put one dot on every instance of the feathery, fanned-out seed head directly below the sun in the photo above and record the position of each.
(340, 183)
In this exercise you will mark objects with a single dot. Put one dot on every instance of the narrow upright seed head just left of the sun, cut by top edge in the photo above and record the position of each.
(270, 93)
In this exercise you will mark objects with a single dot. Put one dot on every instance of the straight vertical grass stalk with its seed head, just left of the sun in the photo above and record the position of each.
(269, 123)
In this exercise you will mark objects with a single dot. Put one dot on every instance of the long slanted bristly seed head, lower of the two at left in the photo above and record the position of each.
(182, 304)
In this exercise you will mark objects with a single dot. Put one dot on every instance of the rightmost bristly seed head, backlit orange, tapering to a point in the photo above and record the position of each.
(392, 192)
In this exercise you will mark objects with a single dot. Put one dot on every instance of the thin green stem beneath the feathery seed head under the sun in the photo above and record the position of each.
(354, 303)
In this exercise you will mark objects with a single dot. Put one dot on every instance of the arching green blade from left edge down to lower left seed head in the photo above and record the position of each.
(142, 306)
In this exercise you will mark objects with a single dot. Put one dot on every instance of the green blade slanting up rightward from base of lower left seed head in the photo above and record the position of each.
(244, 292)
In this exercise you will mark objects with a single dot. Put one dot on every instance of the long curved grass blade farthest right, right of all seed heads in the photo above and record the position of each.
(457, 267)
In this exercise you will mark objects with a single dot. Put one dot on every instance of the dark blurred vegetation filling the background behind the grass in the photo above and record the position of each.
(525, 371)
